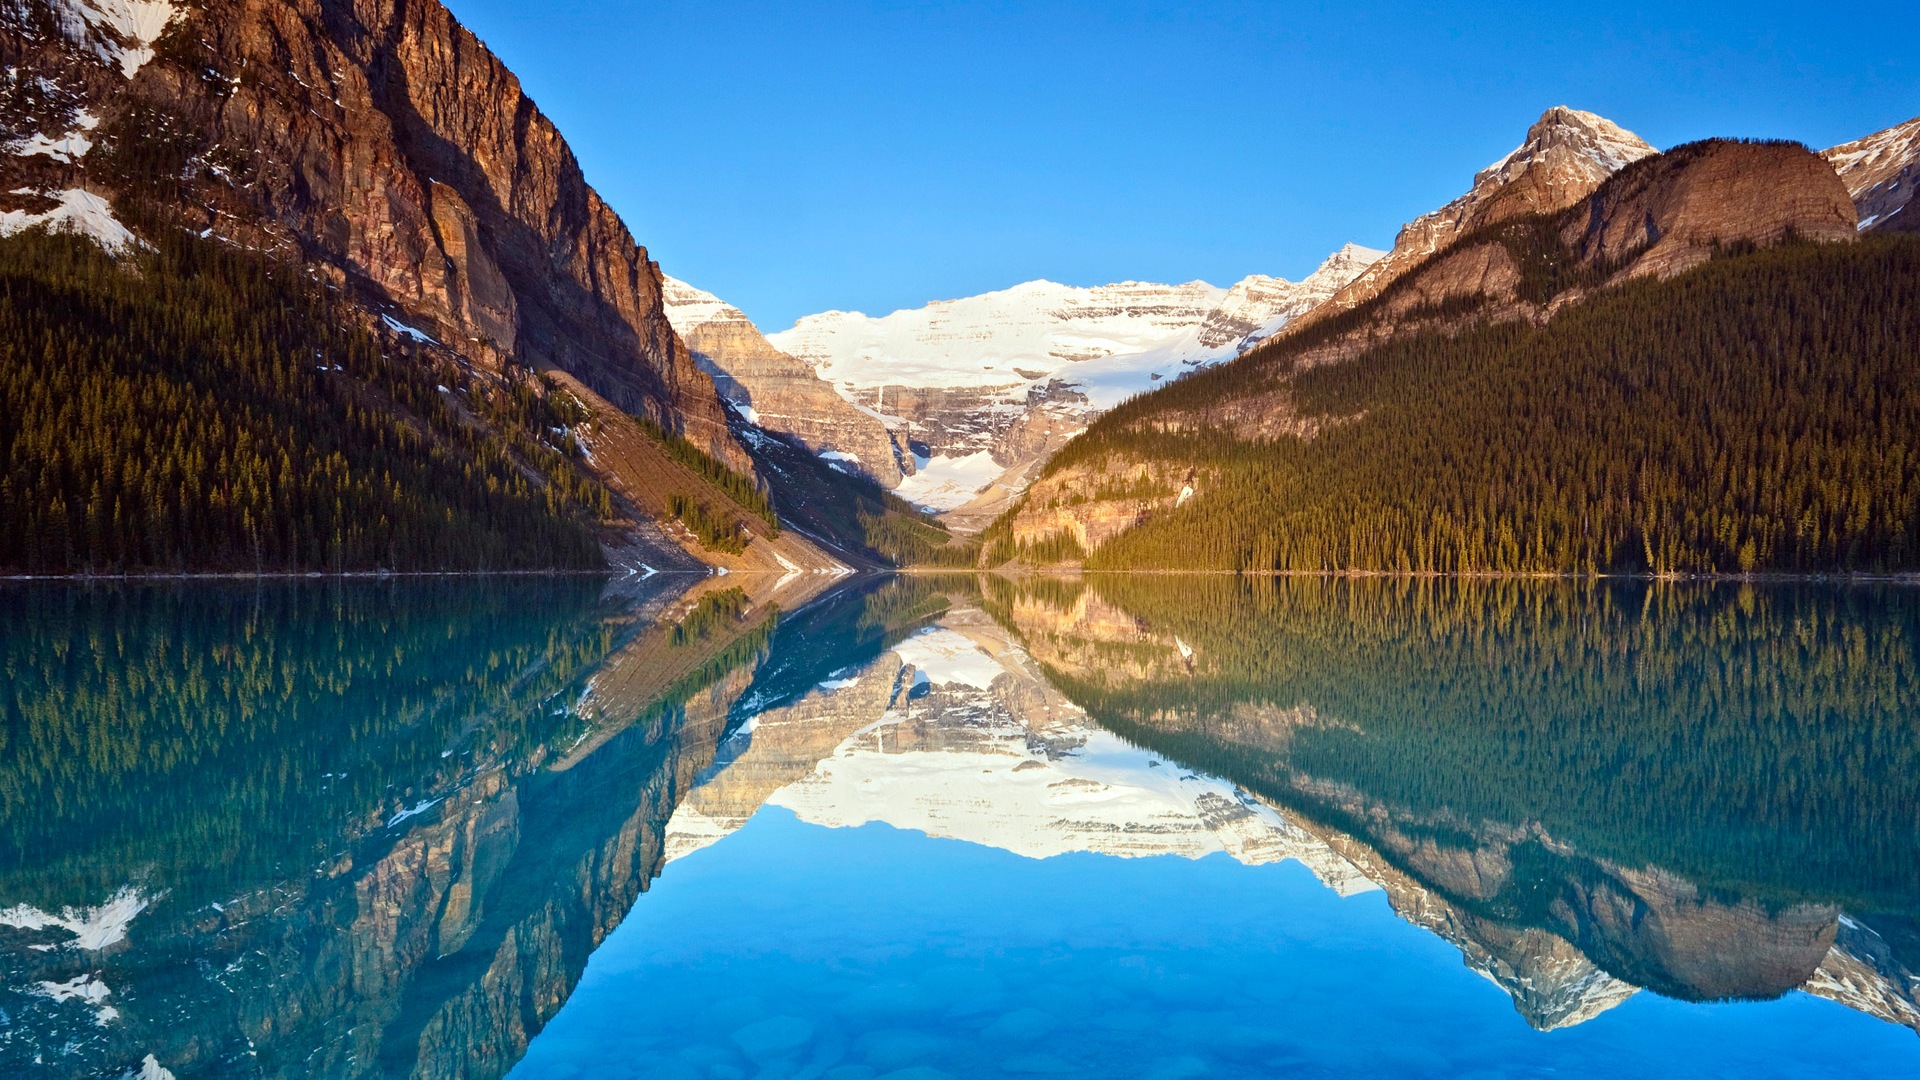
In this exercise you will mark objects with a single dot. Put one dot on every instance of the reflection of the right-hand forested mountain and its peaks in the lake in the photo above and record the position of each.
(1708, 793)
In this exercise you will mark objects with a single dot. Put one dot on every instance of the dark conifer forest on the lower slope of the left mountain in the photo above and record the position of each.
(195, 408)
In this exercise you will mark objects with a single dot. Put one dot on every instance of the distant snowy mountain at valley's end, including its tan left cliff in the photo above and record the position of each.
(967, 395)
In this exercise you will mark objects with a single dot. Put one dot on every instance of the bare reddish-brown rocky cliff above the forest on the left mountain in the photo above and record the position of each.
(375, 139)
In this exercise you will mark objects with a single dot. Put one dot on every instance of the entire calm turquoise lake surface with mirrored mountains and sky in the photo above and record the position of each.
(926, 829)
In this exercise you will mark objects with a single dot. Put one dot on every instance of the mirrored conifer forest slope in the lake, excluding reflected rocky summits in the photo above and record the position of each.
(1756, 739)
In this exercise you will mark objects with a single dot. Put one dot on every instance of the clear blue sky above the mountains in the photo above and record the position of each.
(875, 157)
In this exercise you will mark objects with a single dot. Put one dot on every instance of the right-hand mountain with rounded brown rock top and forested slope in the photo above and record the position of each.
(1516, 403)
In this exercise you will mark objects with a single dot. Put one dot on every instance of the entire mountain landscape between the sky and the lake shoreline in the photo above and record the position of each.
(316, 287)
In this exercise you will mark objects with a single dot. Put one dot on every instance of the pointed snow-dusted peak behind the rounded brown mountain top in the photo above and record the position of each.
(1564, 159)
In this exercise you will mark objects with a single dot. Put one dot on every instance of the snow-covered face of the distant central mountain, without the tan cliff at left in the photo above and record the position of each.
(986, 387)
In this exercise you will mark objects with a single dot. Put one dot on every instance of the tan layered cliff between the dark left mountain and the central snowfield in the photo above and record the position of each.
(780, 393)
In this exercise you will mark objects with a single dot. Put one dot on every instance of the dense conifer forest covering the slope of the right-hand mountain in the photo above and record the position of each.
(1756, 414)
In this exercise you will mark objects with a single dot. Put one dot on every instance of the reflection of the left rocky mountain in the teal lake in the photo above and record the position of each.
(337, 831)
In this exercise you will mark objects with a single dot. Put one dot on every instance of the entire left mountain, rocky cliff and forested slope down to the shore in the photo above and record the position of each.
(437, 220)
